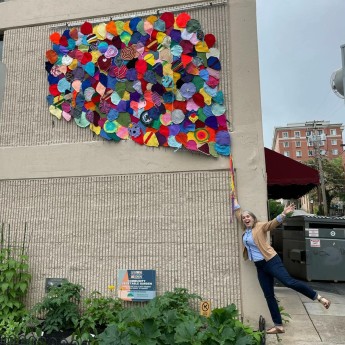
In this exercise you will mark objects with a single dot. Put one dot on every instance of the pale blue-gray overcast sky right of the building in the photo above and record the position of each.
(299, 49)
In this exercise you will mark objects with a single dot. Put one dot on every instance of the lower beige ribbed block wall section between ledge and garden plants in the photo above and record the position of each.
(86, 228)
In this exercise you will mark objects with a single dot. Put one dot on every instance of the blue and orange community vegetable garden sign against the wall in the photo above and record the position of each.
(136, 285)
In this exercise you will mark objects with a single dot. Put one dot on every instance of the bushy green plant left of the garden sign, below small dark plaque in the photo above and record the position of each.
(60, 307)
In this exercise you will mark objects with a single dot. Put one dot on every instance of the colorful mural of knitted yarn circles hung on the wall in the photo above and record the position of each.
(154, 81)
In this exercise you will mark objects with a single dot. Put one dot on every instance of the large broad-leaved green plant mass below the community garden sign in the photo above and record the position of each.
(170, 319)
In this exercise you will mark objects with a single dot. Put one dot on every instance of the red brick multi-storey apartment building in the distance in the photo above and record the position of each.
(297, 140)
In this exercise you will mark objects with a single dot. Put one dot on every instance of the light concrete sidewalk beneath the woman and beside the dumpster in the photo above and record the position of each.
(310, 323)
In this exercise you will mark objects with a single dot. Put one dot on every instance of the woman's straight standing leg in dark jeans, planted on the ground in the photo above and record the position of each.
(266, 282)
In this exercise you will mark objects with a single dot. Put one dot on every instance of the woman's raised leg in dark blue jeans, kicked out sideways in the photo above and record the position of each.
(276, 268)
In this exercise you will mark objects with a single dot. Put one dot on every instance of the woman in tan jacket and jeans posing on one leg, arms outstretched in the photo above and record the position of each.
(268, 263)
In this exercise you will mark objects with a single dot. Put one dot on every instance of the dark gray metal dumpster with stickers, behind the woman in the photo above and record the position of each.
(314, 247)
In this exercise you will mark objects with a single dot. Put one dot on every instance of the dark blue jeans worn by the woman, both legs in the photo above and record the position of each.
(274, 268)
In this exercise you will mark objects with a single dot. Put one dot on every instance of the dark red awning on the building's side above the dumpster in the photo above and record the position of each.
(287, 178)
